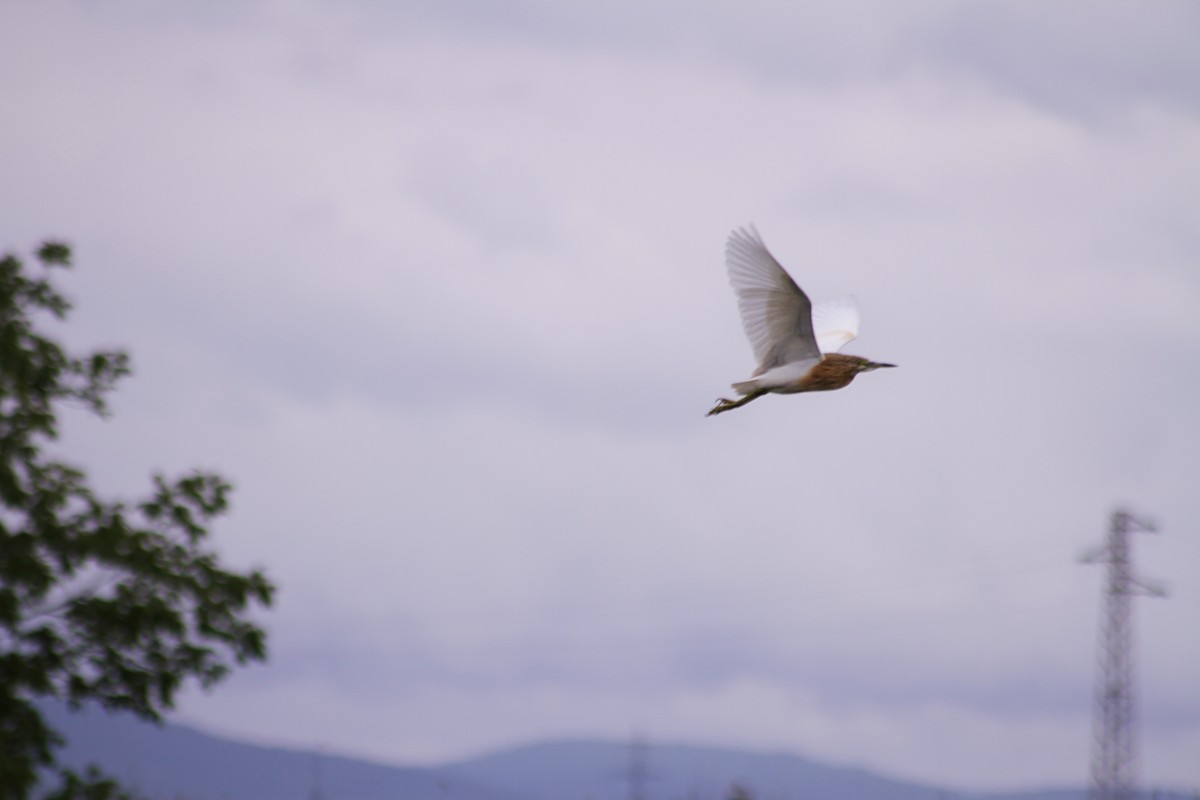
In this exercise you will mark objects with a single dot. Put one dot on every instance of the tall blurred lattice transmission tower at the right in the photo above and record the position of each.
(1114, 751)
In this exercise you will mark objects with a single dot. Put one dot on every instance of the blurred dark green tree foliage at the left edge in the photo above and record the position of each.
(101, 601)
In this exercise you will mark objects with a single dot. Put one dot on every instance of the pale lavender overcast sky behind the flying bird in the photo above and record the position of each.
(441, 288)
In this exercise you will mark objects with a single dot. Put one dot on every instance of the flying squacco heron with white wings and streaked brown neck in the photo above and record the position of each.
(795, 342)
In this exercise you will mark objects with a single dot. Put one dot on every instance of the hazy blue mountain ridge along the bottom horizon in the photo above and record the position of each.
(179, 763)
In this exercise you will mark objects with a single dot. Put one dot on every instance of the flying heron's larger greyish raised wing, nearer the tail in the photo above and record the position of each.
(776, 314)
